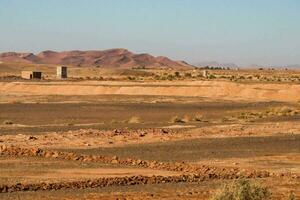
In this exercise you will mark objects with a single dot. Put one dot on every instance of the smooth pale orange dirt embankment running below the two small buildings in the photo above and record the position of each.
(207, 89)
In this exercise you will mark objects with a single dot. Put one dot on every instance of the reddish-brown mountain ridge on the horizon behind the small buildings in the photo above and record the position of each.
(112, 58)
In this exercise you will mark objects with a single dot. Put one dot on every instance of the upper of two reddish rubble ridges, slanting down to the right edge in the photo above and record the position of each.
(211, 172)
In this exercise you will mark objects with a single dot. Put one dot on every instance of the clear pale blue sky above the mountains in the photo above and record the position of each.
(245, 32)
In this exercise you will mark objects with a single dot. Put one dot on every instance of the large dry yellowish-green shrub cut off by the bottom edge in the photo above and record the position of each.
(242, 190)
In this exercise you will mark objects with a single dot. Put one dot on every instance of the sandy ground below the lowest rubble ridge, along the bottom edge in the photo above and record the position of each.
(194, 191)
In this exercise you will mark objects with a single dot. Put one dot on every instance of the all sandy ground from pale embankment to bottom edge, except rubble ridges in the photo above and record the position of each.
(262, 142)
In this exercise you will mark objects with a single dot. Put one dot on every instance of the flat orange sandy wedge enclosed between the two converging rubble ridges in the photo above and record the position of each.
(33, 170)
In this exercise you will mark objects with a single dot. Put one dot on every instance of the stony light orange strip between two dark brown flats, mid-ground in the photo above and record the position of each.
(93, 138)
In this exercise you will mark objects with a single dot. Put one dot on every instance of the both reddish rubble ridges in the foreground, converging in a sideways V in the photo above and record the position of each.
(192, 173)
